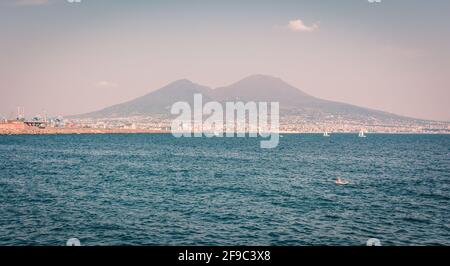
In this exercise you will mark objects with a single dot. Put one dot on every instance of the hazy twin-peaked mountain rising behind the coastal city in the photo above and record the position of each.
(253, 88)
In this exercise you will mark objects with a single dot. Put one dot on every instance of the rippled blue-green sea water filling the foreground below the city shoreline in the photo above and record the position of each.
(154, 189)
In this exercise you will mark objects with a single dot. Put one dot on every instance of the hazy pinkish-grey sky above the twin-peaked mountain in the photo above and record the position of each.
(69, 58)
